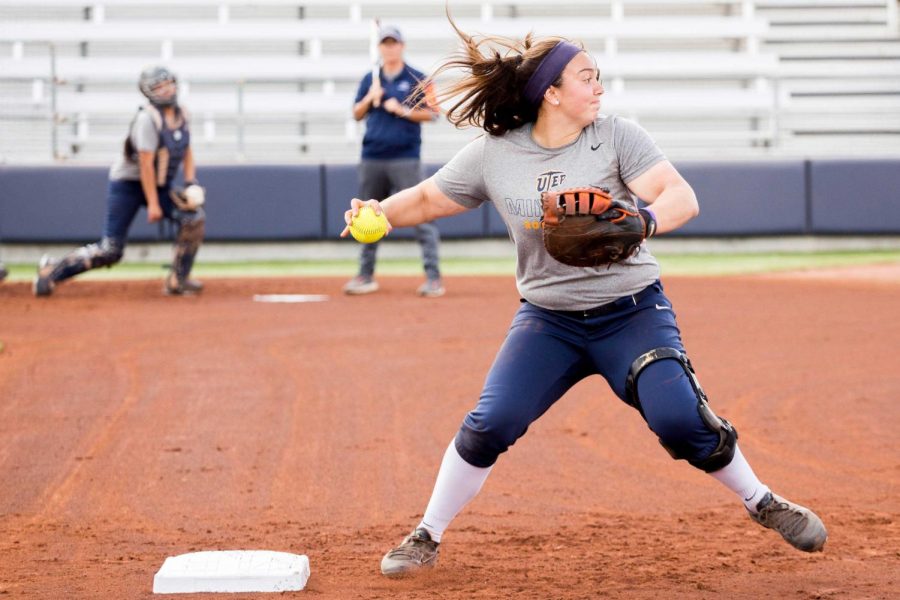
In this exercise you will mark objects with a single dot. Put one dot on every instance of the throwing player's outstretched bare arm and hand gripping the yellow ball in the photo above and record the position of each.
(419, 204)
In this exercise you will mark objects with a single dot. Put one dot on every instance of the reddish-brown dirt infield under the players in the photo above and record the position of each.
(135, 426)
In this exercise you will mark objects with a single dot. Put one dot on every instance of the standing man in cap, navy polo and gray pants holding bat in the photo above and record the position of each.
(394, 110)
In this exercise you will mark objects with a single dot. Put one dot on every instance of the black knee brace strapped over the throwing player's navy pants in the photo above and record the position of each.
(724, 451)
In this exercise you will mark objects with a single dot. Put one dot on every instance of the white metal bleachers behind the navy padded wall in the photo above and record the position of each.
(272, 81)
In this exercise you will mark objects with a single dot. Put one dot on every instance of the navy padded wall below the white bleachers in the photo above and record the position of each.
(305, 202)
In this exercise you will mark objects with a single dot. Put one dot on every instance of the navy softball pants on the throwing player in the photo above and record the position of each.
(547, 352)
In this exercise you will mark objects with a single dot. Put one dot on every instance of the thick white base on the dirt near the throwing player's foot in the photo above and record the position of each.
(232, 571)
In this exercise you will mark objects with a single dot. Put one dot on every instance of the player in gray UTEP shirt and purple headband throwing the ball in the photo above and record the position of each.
(593, 308)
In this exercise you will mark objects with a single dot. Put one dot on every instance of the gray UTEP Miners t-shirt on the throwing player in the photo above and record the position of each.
(512, 170)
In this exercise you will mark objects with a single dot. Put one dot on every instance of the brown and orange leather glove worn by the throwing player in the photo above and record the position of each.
(585, 227)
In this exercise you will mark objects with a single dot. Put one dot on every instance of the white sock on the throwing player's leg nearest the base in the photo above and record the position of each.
(457, 483)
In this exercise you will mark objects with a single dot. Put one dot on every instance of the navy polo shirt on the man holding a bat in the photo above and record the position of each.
(387, 135)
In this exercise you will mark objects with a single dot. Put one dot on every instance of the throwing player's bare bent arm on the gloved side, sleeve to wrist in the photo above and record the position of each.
(673, 201)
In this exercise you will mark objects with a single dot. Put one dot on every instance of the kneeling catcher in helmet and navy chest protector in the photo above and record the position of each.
(158, 143)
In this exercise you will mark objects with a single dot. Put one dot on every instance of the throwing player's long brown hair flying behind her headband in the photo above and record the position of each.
(493, 83)
